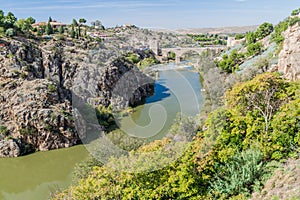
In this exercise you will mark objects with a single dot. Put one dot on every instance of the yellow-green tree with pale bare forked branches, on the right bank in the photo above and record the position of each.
(264, 94)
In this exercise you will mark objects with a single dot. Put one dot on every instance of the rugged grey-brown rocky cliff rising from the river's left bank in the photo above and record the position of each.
(36, 83)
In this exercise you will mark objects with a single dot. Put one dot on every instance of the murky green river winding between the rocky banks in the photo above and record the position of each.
(34, 177)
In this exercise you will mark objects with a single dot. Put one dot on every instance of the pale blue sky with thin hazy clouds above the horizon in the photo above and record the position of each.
(156, 14)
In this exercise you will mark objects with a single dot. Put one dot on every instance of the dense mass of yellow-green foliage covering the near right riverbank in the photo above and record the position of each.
(229, 160)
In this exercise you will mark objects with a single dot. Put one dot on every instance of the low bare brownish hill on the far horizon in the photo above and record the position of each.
(218, 30)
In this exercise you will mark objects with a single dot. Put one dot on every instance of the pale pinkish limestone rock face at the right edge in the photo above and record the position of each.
(289, 57)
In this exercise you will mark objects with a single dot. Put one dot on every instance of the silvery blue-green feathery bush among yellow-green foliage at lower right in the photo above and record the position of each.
(242, 174)
